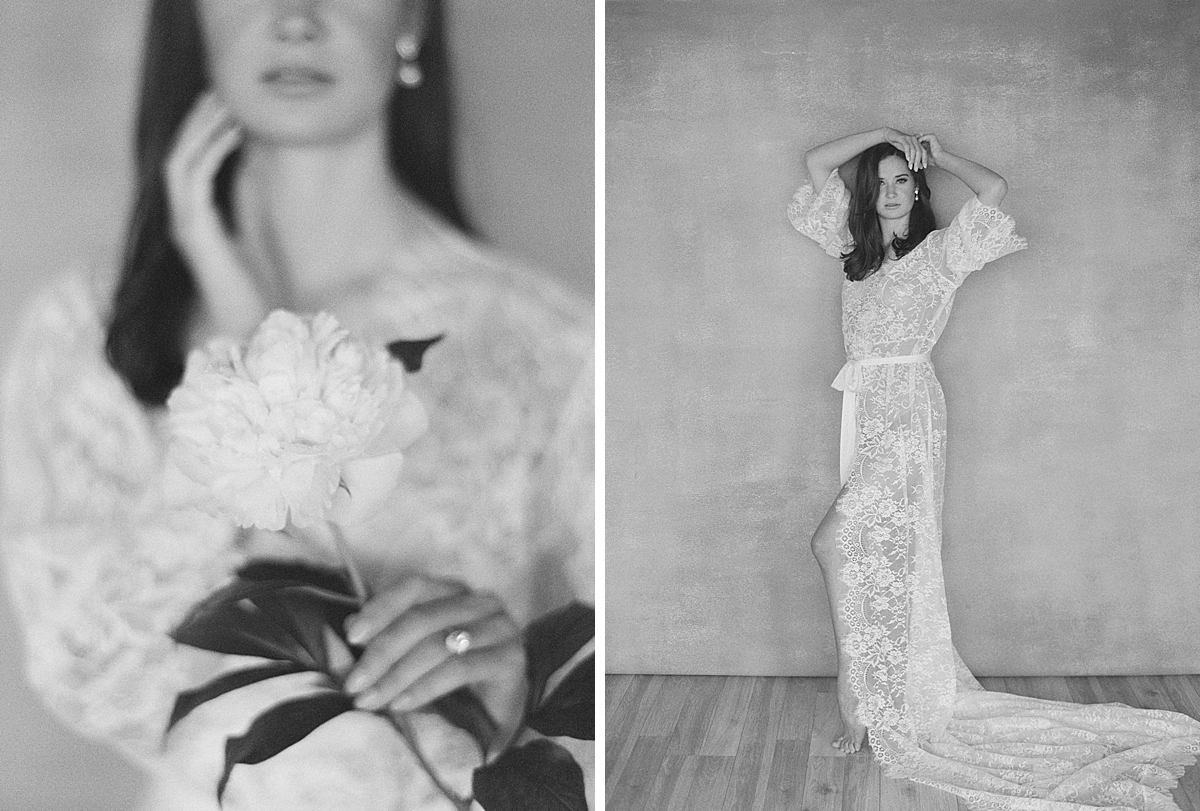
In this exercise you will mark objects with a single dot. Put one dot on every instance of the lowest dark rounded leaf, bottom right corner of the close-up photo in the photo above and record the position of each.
(539, 776)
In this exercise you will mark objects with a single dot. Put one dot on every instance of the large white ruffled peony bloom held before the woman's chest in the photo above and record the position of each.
(301, 424)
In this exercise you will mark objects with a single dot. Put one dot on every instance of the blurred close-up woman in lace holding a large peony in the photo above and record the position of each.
(296, 155)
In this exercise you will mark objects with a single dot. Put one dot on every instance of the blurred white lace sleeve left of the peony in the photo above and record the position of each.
(98, 573)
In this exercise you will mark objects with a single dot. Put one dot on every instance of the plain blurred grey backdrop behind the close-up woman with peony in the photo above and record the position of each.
(68, 82)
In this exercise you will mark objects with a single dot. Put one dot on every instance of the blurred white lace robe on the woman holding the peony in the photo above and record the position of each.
(499, 494)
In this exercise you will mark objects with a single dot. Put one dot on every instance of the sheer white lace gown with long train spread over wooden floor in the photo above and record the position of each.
(927, 717)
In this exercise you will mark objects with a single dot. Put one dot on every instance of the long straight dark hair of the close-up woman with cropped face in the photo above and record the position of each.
(158, 295)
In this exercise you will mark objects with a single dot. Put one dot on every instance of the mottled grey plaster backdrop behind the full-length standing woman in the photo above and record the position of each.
(1072, 370)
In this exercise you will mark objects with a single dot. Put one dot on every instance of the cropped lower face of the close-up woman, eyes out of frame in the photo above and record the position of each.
(303, 73)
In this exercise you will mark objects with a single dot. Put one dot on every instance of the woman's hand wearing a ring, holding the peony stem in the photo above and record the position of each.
(409, 662)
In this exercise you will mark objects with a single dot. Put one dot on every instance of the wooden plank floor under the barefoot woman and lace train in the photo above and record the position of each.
(723, 743)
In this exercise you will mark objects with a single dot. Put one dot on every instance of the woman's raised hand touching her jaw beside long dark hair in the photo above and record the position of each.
(206, 140)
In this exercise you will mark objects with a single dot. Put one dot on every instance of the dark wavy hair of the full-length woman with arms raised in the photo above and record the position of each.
(869, 251)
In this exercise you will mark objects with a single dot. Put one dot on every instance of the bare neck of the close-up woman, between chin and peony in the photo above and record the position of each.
(313, 218)
